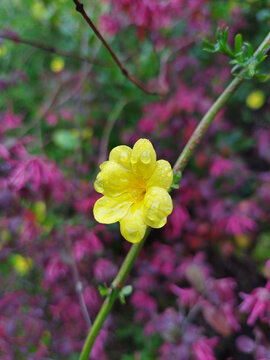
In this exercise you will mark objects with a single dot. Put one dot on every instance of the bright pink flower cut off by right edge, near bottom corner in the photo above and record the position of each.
(257, 304)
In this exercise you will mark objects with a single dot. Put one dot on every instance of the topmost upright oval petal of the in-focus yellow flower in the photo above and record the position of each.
(143, 158)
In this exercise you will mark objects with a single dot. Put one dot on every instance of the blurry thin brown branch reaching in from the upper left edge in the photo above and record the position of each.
(8, 35)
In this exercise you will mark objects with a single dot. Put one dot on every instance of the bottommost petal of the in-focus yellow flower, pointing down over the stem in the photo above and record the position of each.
(132, 226)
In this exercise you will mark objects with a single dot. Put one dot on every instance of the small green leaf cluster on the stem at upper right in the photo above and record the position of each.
(243, 56)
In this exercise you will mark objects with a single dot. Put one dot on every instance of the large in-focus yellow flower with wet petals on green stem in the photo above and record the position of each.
(135, 187)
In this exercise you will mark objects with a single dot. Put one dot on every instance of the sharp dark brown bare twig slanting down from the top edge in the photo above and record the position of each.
(133, 79)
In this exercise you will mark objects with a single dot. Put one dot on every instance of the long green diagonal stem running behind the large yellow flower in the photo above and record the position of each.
(181, 162)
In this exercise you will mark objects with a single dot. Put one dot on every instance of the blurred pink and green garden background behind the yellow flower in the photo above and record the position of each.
(201, 284)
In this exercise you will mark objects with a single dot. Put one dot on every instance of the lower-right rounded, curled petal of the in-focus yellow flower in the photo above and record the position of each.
(157, 206)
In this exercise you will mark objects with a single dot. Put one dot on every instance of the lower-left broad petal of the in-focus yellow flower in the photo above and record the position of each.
(108, 210)
